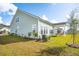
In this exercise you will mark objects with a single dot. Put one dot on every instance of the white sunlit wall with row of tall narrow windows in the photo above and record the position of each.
(43, 26)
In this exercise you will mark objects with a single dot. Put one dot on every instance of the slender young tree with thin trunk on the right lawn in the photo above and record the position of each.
(73, 21)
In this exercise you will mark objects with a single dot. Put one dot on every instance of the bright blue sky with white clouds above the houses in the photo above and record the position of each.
(53, 12)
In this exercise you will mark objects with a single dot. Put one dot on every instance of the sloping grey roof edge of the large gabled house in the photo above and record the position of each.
(38, 18)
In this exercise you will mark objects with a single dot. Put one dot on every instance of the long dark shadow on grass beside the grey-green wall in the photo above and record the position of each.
(13, 39)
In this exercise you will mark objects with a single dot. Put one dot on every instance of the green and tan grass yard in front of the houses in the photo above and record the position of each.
(18, 46)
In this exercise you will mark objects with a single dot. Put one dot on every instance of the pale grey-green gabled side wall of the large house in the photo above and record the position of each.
(24, 25)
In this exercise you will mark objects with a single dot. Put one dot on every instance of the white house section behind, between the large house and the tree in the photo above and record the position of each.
(60, 27)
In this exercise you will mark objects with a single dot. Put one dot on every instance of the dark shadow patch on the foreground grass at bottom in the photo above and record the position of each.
(55, 51)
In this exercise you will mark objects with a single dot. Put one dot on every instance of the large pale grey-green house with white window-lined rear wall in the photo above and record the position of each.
(24, 23)
